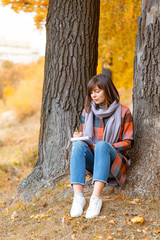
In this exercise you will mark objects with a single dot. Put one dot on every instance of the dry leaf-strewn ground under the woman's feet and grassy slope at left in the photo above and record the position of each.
(47, 215)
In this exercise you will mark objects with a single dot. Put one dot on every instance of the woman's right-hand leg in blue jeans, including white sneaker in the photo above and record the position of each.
(104, 155)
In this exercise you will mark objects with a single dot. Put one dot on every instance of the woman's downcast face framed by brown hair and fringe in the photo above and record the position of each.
(98, 95)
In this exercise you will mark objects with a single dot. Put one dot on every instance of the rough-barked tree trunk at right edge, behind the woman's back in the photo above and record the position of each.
(144, 174)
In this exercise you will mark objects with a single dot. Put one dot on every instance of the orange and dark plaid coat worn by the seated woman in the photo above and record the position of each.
(124, 143)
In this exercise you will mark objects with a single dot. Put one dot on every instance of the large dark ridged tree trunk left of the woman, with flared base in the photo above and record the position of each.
(70, 61)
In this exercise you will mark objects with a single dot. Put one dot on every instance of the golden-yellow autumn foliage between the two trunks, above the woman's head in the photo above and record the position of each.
(117, 34)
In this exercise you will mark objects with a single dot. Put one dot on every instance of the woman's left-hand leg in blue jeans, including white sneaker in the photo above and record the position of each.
(81, 158)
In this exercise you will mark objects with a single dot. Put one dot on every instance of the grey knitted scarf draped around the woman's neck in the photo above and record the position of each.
(113, 126)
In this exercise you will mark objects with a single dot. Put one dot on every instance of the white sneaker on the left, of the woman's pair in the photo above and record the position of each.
(77, 206)
